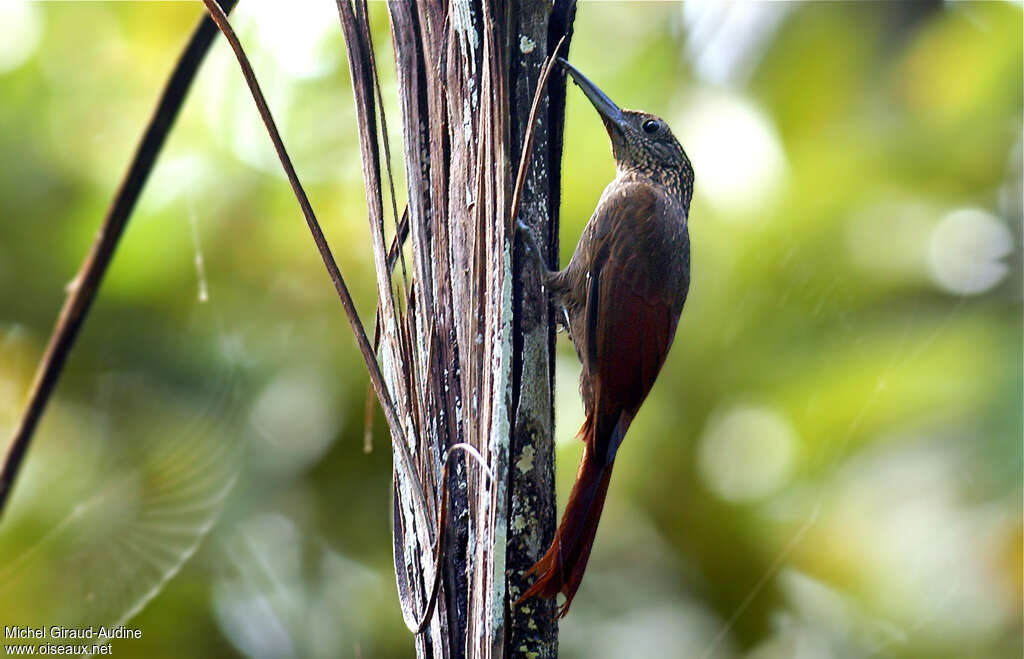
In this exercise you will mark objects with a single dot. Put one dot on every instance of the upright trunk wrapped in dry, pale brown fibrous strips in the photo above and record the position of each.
(467, 347)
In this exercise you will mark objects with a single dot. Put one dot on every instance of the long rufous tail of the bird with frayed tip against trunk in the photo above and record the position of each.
(562, 568)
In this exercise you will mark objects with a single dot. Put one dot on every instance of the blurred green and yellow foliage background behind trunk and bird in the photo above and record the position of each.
(829, 467)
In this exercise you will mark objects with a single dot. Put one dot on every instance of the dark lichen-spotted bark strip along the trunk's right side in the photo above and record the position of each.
(533, 630)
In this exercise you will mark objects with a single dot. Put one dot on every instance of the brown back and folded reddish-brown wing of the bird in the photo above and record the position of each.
(639, 278)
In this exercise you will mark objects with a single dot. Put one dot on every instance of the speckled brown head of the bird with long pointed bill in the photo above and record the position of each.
(643, 144)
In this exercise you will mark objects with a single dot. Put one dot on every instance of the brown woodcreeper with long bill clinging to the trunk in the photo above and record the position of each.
(620, 299)
